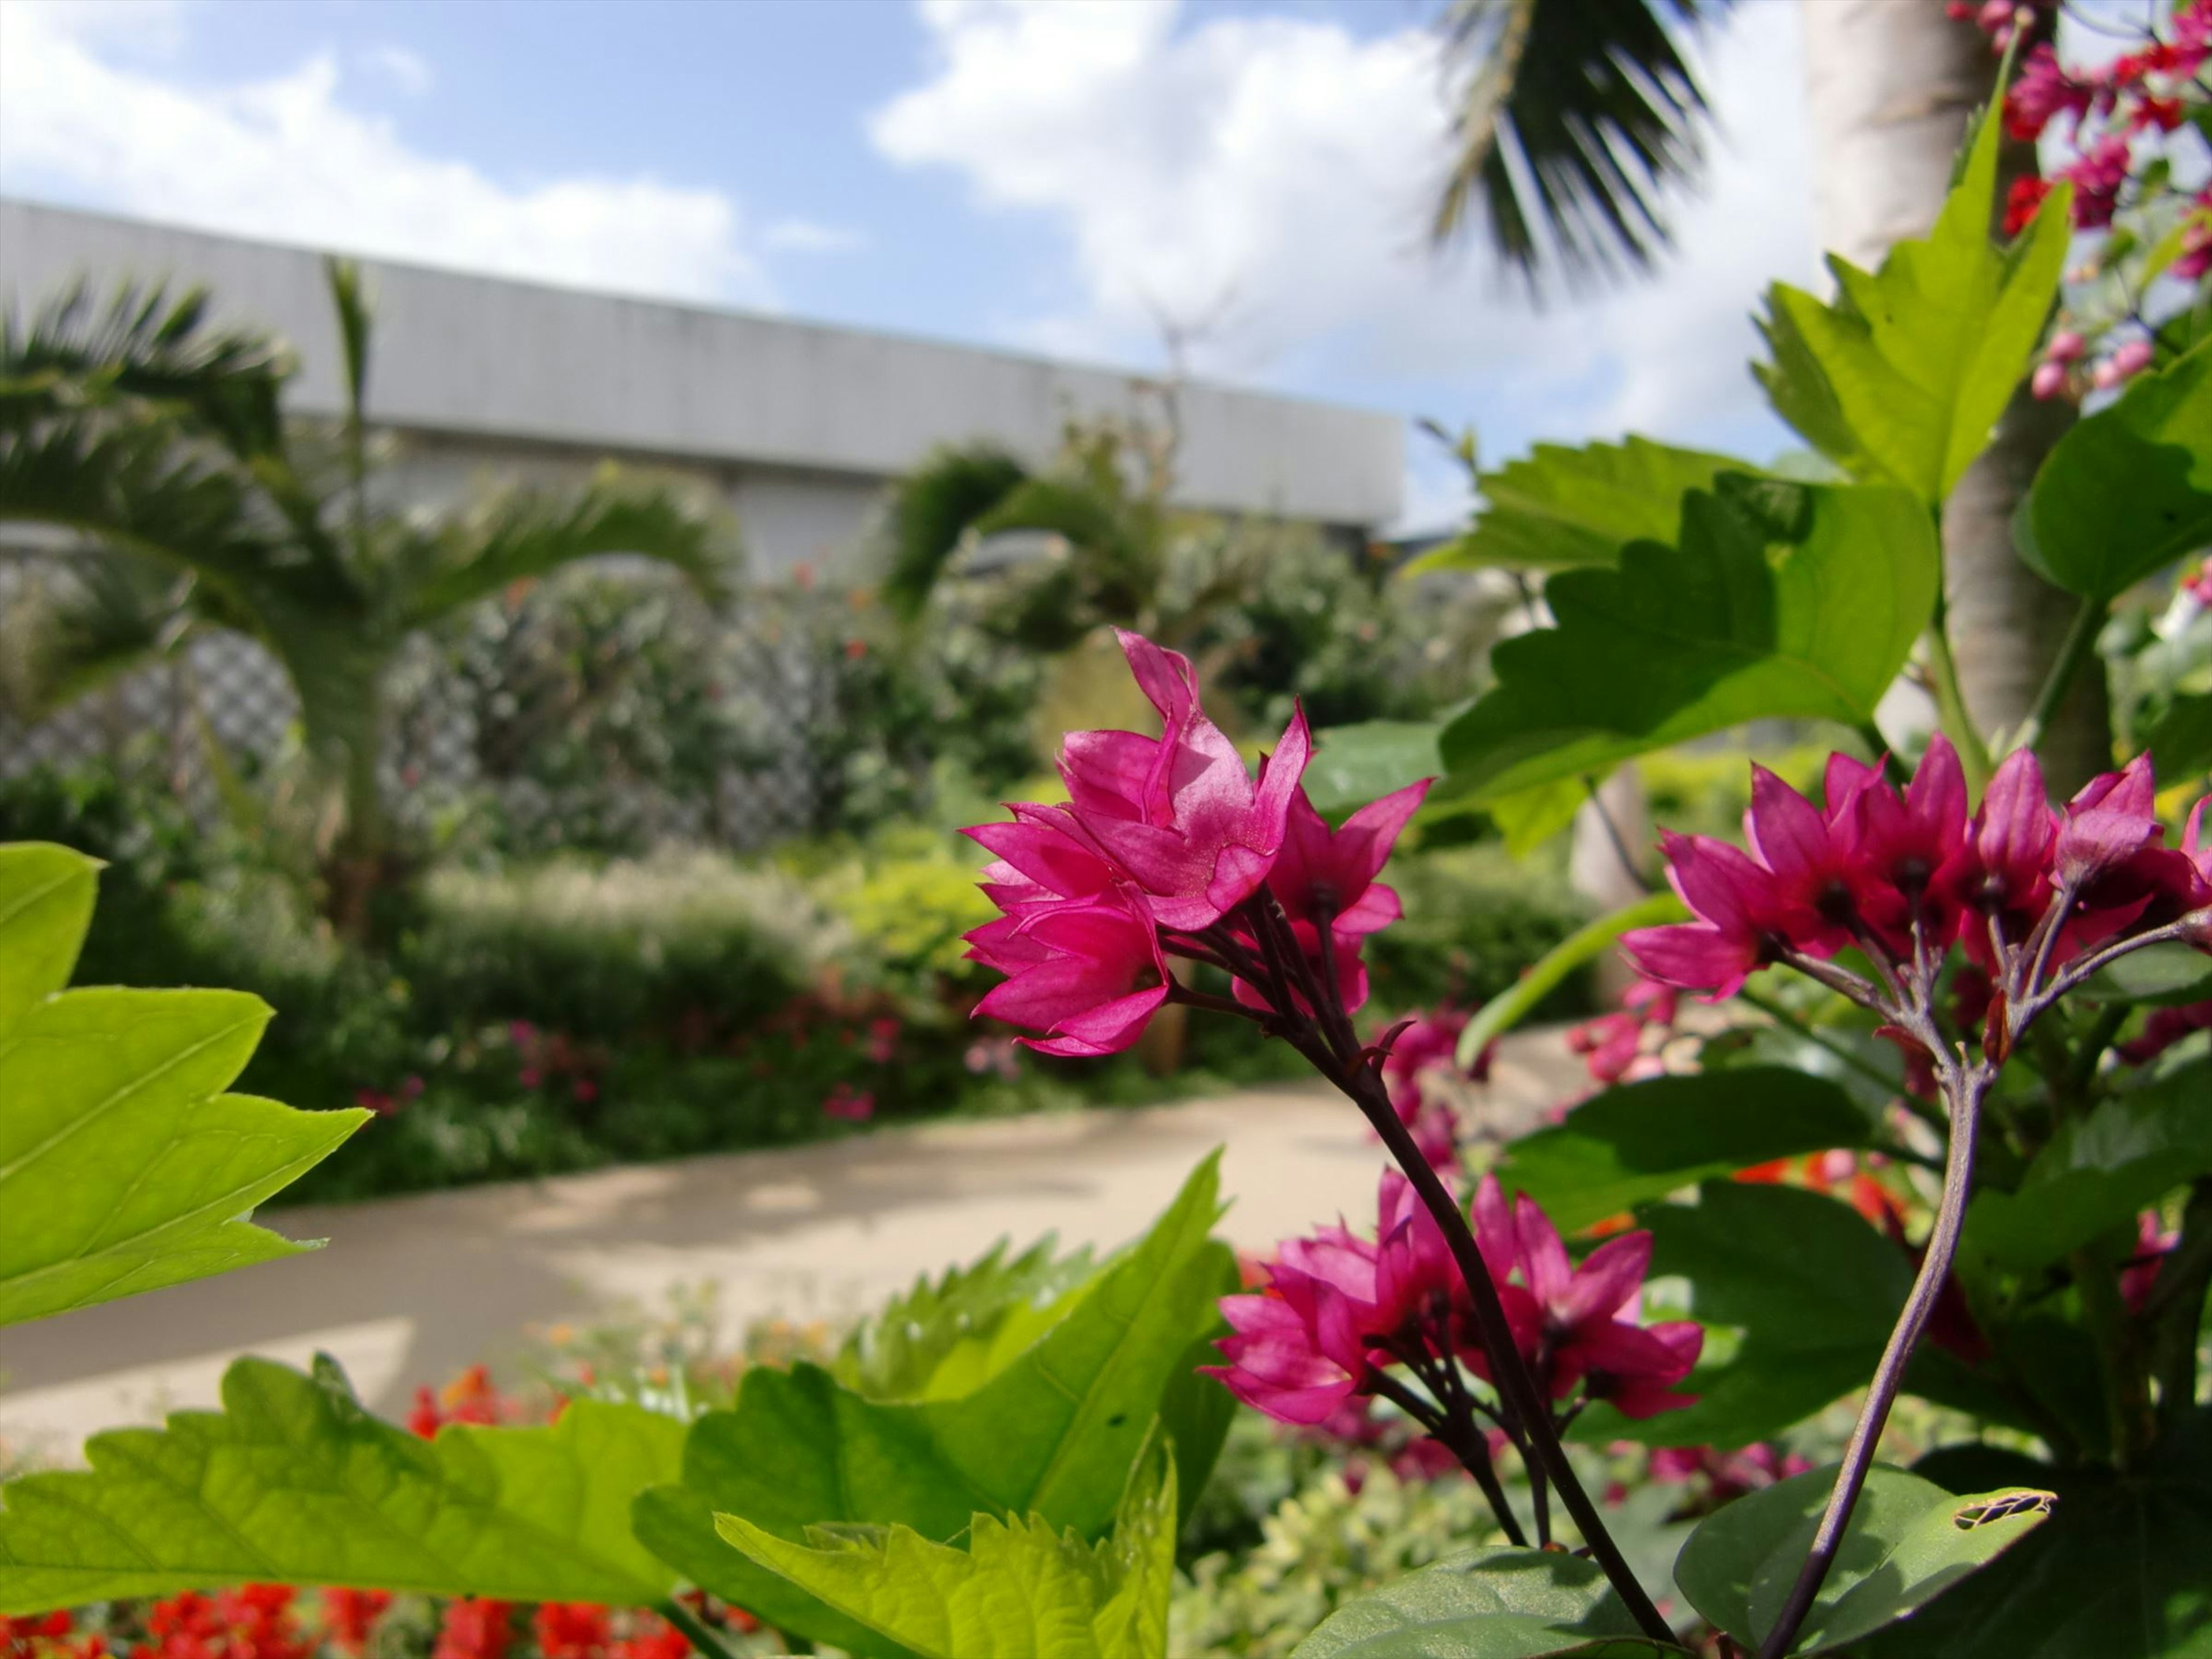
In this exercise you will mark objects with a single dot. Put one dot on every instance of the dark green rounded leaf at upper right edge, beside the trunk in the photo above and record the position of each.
(2129, 490)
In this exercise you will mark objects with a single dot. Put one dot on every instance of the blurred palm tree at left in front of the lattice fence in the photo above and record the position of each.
(160, 446)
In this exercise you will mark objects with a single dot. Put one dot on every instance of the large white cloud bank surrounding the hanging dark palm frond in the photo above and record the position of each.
(1275, 174)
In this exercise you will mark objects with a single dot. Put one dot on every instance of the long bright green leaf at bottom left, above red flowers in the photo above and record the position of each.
(295, 1483)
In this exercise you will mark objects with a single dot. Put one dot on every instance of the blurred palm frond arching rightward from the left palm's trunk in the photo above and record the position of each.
(528, 534)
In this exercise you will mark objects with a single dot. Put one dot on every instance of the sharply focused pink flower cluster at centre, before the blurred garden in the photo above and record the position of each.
(1162, 848)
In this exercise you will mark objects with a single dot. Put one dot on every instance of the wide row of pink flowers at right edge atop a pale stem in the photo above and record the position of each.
(1903, 877)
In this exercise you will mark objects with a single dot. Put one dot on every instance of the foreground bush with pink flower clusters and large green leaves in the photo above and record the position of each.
(1945, 1136)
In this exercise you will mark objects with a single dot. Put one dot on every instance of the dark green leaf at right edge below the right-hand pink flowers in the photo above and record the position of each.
(2096, 1173)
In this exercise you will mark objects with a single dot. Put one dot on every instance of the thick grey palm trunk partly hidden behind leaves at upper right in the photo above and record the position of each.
(1890, 87)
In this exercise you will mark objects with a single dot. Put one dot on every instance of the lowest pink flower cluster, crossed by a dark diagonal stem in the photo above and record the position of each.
(1342, 1311)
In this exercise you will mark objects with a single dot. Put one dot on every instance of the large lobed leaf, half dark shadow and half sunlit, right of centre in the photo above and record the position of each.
(1775, 601)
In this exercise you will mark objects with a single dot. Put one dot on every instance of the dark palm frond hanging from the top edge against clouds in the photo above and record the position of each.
(1574, 118)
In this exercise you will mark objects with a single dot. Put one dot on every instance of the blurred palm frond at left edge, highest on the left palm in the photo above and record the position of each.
(149, 348)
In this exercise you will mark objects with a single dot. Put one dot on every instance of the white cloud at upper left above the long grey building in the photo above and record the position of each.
(293, 160)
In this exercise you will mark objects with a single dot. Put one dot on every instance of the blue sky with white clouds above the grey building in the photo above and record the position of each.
(1043, 178)
